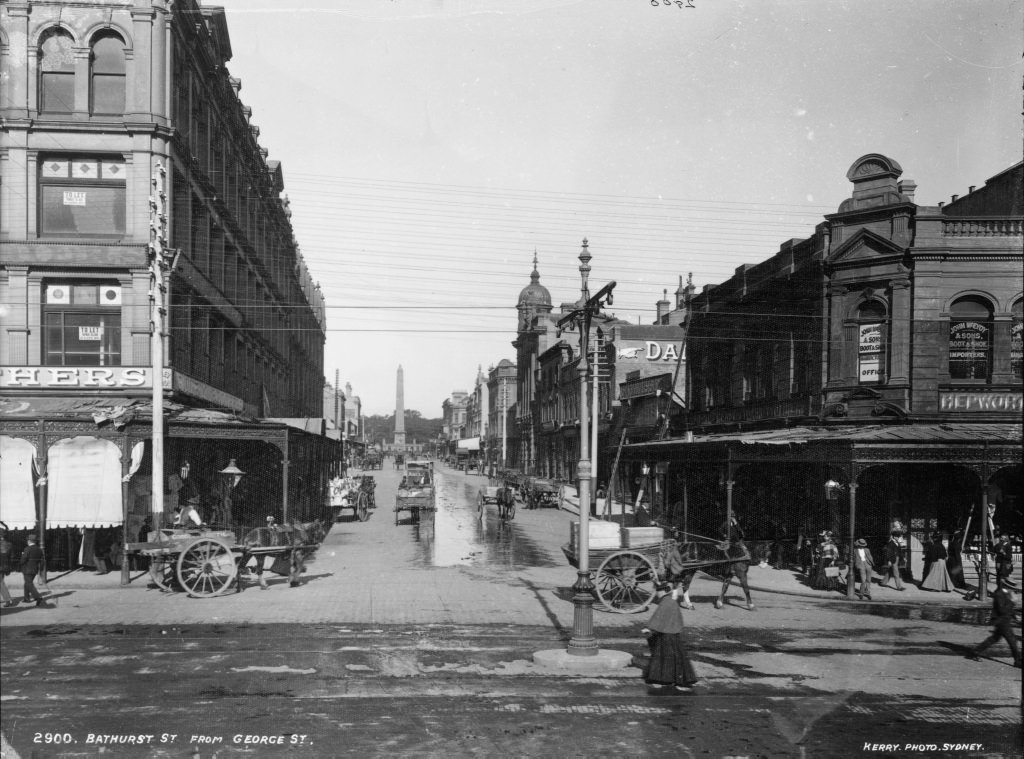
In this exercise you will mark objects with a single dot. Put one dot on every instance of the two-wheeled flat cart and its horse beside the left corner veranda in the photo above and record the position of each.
(205, 563)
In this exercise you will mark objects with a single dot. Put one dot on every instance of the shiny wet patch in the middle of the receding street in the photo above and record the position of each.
(458, 537)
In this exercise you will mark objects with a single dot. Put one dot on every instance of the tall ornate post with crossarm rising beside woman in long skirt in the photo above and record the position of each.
(583, 643)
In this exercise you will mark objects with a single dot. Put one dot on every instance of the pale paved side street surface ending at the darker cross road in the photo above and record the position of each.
(457, 570)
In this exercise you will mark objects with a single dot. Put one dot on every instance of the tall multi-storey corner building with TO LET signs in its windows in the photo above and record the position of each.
(131, 172)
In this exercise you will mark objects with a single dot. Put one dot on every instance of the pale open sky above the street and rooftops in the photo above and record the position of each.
(432, 148)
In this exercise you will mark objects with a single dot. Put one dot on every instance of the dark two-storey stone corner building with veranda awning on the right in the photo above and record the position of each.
(880, 356)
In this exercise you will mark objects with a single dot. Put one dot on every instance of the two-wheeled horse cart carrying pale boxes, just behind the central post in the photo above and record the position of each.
(626, 578)
